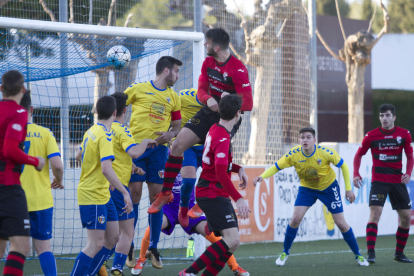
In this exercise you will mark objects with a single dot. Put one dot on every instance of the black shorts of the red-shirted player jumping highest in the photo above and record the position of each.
(204, 119)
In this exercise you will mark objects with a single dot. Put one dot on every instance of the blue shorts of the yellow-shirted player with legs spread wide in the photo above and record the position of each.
(330, 197)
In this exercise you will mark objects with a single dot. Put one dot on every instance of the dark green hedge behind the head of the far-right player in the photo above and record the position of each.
(403, 102)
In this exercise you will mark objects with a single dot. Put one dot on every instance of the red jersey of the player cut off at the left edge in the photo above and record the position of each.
(13, 125)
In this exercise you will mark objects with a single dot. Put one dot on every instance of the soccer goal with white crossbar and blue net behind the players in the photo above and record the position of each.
(66, 70)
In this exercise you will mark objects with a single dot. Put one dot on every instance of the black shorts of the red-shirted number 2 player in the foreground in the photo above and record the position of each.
(219, 212)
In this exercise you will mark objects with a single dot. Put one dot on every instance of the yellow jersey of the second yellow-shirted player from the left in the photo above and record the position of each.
(93, 188)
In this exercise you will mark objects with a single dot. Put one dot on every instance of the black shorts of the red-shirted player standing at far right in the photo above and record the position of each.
(398, 194)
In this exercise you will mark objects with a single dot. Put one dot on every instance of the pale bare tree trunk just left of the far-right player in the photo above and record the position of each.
(356, 85)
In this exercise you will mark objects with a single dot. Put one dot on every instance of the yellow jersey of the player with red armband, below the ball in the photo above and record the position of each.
(152, 109)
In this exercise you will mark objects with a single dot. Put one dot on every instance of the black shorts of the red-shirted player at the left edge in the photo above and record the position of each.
(14, 217)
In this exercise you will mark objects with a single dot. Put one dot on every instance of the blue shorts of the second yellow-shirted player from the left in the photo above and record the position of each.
(96, 216)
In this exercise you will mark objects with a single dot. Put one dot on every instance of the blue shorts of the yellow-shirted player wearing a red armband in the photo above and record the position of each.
(153, 163)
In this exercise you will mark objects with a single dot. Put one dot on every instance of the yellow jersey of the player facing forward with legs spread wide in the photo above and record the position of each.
(314, 170)
